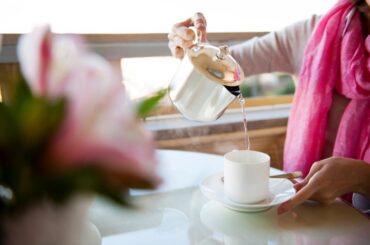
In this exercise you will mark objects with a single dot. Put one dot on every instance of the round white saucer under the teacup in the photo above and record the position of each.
(281, 190)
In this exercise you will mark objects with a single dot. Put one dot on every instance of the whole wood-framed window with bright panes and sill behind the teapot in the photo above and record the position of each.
(133, 35)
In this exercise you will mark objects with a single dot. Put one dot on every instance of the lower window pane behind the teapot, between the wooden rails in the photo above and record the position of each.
(144, 76)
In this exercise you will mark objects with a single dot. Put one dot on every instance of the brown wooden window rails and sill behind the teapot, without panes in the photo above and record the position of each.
(267, 116)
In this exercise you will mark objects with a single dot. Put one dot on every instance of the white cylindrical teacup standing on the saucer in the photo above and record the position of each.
(246, 176)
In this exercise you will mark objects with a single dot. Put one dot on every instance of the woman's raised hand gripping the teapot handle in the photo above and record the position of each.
(181, 37)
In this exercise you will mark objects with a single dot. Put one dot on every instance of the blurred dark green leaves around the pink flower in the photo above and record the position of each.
(28, 124)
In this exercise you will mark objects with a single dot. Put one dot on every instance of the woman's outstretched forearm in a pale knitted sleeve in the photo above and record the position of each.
(277, 51)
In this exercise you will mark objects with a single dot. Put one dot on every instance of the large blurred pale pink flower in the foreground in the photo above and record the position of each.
(100, 127)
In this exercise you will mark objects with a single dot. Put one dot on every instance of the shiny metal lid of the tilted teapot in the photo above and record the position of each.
(215, 63)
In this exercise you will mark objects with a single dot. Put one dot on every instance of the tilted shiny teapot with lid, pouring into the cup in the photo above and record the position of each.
(206, 82)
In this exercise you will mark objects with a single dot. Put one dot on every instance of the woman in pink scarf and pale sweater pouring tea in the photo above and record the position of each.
(328, 135)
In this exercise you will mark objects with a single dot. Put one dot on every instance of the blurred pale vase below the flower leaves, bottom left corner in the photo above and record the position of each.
(49, 223)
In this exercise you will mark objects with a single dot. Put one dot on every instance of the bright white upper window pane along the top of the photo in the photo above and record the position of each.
(150, 16)
